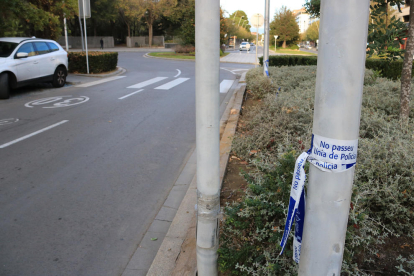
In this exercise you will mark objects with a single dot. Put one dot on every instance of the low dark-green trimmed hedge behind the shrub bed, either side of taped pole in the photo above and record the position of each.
(390, 70)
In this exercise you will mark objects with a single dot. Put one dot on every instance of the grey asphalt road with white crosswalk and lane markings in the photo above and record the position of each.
(84, 172)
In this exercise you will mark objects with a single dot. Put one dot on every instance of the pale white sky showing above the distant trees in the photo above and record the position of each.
(257, 6)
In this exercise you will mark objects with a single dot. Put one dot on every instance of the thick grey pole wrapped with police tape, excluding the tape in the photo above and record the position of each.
(339, 84)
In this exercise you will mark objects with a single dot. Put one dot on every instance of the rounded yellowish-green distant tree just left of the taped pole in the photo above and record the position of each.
(284, 25)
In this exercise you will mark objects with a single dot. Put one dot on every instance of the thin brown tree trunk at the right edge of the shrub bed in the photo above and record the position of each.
(407, 70)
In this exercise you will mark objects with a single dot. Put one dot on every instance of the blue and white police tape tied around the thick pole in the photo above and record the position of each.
(329, 155)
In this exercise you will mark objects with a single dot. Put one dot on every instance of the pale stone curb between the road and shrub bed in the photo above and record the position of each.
(177, 253)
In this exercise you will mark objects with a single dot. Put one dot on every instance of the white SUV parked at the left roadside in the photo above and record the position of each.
(28, 60)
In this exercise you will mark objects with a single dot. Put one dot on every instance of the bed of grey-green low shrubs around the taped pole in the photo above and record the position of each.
(272, 133)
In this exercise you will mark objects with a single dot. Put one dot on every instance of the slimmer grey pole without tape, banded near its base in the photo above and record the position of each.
(208, 133)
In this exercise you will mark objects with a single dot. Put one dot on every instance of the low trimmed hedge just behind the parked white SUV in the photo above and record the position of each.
(99, 62)
